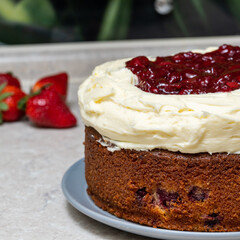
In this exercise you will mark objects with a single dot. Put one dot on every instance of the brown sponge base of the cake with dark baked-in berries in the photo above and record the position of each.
(159, 188)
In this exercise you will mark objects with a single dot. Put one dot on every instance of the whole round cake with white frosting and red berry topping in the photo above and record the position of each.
(162, 139)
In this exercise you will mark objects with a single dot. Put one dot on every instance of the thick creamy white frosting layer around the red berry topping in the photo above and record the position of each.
(133, 119)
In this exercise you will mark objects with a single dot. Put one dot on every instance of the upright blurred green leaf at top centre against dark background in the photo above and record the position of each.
(116, 20)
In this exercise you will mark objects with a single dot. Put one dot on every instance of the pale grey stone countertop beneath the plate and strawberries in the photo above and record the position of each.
(33, 160)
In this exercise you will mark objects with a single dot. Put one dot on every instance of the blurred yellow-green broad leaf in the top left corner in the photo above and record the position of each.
(32, 12)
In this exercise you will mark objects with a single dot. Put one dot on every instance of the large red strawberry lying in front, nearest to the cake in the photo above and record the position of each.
(47, 109)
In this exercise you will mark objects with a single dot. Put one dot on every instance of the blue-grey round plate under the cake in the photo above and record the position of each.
(74, 188)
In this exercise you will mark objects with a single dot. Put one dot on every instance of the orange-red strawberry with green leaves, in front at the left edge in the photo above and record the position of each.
(9, 98)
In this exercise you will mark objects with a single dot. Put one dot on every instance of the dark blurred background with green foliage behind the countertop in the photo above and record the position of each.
(39, 21)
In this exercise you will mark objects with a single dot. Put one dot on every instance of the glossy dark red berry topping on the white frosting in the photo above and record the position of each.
(188, 72)
